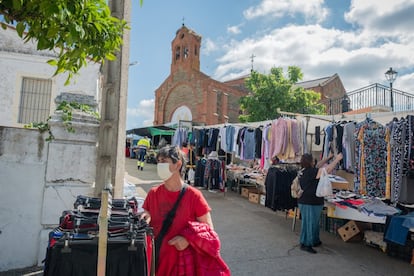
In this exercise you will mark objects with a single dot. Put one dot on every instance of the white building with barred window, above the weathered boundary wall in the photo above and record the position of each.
(28, 89)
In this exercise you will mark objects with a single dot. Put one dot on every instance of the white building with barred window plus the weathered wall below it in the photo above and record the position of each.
(40, 179)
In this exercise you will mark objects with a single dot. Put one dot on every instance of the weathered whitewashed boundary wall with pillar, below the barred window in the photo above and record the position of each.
(39, 180)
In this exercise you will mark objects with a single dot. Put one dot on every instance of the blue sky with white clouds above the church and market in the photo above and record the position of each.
(359, 40)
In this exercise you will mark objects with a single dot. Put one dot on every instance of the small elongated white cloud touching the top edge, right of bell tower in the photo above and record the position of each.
(312, 10)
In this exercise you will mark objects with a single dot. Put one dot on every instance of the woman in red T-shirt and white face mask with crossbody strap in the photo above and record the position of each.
(191, 231)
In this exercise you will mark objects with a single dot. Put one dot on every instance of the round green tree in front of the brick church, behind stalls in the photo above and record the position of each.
(275, 91)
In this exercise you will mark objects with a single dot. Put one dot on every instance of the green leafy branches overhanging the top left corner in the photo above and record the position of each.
(77, 29)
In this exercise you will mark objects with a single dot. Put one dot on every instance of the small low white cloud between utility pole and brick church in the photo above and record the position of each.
(141, 115)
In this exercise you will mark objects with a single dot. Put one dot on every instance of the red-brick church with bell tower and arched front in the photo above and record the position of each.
(190, 95)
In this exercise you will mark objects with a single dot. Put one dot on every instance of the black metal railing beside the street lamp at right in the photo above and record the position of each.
(374, 95)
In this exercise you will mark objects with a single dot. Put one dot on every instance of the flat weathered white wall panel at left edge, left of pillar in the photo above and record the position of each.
(23, 155)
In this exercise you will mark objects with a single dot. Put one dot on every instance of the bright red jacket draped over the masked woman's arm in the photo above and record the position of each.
(202, 256)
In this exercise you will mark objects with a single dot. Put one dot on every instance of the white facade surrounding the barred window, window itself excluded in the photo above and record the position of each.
(19, 59)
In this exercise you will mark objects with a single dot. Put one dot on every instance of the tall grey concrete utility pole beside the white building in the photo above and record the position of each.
(110, 165)
